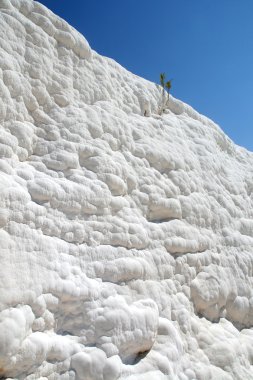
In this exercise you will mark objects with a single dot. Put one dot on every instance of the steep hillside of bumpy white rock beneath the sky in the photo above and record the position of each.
(126, 237)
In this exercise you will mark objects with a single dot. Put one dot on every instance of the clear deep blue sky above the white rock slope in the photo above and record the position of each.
(206, 46)
